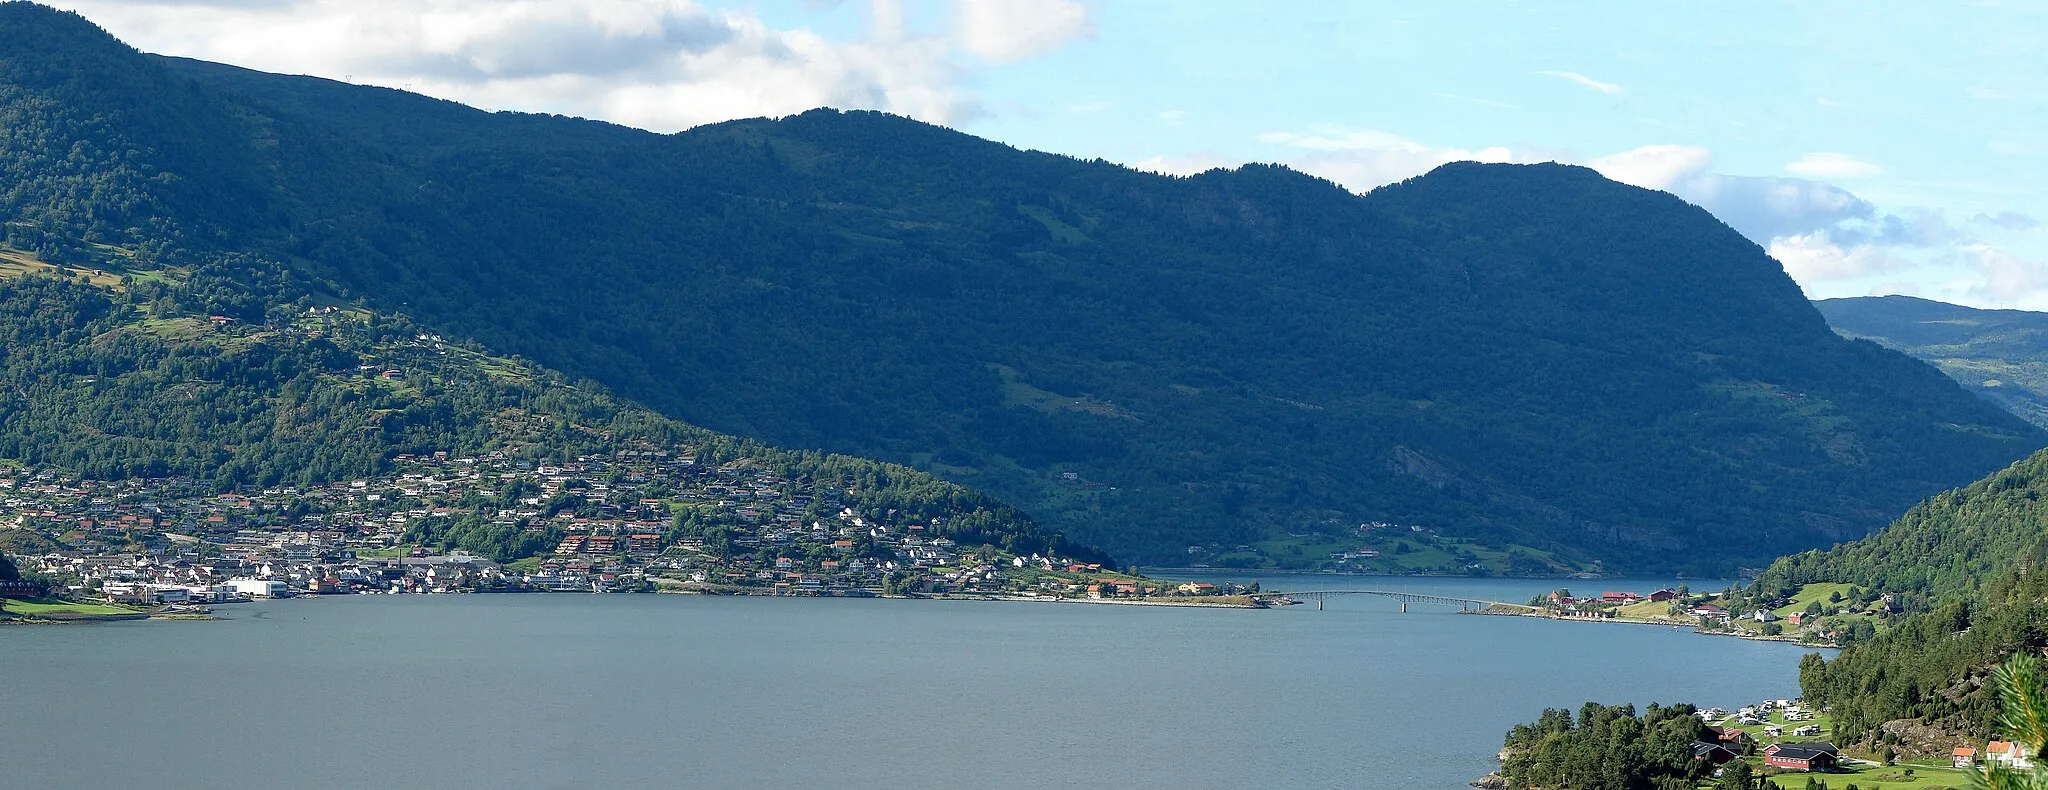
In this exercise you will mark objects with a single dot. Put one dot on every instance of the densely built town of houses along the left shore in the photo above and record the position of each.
(638, 521)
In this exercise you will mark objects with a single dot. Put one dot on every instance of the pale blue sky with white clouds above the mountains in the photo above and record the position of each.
(1871, 146)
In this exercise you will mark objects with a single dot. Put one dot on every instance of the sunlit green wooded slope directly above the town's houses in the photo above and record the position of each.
(122, 382)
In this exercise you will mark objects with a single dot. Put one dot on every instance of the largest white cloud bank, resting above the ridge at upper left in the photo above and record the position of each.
(656, 64)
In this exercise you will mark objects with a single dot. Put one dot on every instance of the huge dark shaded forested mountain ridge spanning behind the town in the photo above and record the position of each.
(1170, 367)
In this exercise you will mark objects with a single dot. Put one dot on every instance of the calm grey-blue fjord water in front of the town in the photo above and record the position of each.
(790, 693)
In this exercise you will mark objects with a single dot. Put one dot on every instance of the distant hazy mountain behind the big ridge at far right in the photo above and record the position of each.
(2002, 355)
